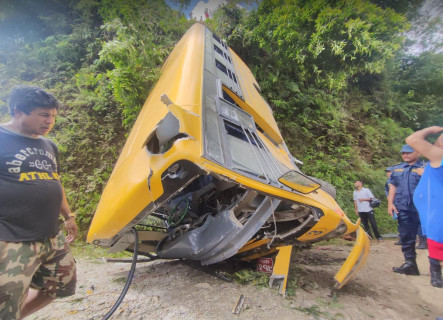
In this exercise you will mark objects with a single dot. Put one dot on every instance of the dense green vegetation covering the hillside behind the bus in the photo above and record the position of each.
(337, 74)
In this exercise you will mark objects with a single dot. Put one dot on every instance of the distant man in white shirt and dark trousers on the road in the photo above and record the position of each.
(362, 200)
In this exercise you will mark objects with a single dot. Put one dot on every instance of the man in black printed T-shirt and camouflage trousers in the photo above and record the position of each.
(36, 265)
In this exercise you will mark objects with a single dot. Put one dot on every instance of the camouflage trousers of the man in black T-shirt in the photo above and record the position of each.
(46, 265)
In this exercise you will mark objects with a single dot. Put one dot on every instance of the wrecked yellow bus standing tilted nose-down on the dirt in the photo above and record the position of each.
(205, 173)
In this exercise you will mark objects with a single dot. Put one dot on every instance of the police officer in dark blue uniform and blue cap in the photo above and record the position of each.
(402, 183)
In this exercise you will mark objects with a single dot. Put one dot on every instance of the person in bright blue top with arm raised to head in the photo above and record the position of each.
(428, 197)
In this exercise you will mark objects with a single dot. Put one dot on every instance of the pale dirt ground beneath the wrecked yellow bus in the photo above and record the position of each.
(165, 289)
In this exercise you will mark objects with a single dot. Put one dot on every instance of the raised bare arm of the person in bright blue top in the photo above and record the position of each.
(417, 140)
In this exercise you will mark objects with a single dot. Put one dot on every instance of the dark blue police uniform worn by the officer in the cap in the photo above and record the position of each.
(405, 177)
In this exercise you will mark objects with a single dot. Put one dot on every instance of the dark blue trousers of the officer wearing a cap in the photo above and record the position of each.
(408, 223)
